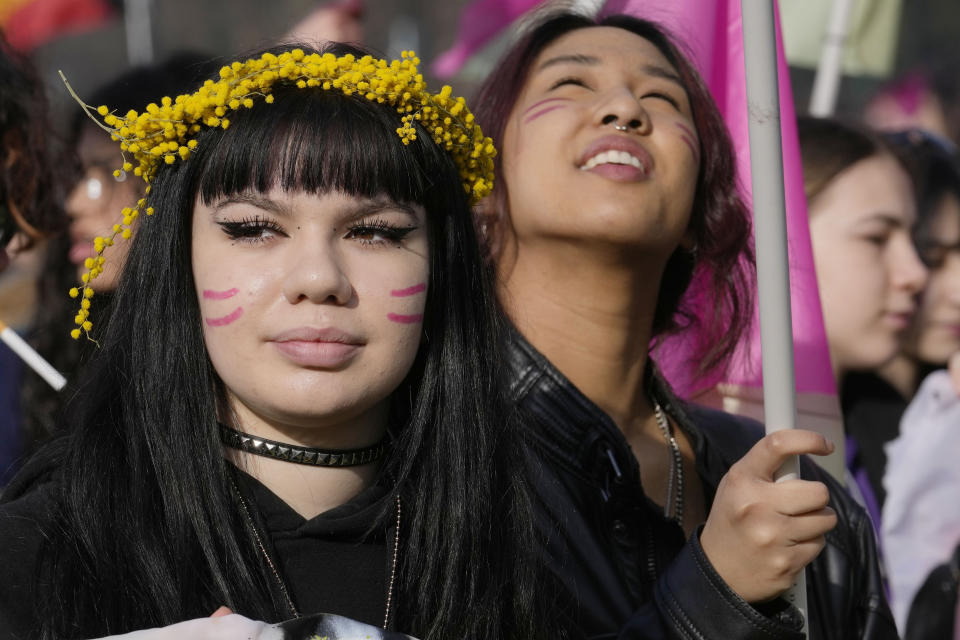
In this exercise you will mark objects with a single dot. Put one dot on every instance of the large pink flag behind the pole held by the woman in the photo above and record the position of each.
(712, 34)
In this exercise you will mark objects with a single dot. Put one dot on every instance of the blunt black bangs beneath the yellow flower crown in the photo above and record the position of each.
(318, 141)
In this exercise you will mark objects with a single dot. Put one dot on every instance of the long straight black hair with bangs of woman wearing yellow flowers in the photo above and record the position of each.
(150, 533)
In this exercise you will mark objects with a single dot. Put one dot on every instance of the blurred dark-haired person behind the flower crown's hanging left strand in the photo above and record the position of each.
(93, 203)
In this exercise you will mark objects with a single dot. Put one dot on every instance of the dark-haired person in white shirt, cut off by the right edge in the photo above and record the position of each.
(917, 463)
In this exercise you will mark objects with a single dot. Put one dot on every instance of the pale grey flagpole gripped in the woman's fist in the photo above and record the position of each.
(770, 232)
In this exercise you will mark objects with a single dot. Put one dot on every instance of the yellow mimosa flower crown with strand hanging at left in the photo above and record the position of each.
(163, 133)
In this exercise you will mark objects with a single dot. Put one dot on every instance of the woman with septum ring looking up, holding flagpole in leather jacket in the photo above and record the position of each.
(615, 213)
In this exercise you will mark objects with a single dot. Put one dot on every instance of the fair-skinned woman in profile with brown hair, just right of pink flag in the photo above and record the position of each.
(862, 211)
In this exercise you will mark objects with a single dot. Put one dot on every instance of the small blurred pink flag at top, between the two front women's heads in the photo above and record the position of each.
(479, 23)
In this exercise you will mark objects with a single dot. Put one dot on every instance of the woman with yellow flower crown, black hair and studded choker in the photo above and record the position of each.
(292, 409)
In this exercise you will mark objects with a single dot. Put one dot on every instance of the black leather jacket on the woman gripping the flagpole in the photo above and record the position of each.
(626, 570)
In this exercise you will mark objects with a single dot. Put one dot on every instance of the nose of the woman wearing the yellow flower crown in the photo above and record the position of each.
(314, 272)
